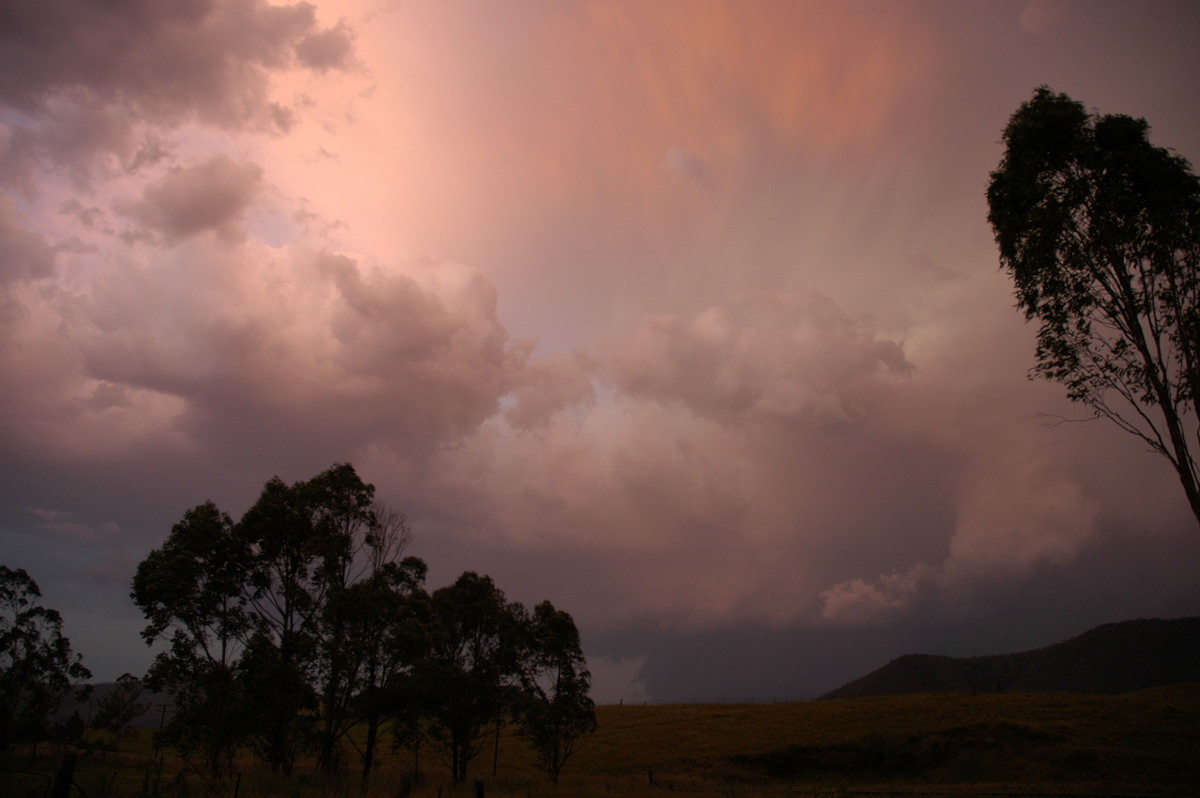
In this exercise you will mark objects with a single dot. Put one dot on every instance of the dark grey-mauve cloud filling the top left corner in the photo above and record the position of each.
(97, 89)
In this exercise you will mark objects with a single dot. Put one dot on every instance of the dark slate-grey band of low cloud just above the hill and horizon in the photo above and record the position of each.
(763, 663)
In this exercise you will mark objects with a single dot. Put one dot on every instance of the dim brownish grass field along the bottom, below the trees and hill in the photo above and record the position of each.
(1138, 745)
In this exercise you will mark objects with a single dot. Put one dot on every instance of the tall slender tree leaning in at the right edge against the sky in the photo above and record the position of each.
(1101, 233)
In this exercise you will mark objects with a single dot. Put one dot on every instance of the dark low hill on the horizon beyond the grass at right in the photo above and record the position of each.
(1111, 659)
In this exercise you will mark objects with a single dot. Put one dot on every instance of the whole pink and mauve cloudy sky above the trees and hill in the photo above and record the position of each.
(682, 315)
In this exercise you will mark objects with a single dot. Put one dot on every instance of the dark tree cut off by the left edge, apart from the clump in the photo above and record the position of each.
(38, 668)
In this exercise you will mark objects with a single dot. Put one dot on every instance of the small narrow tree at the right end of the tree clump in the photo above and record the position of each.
(555, 712)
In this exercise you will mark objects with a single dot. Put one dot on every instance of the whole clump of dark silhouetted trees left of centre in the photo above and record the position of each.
(303, 621)
